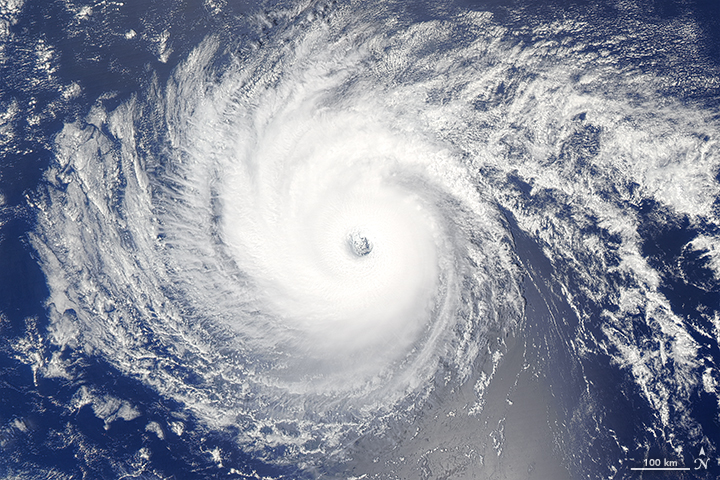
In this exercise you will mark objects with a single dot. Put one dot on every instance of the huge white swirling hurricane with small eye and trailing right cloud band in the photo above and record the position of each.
(304, 237)
